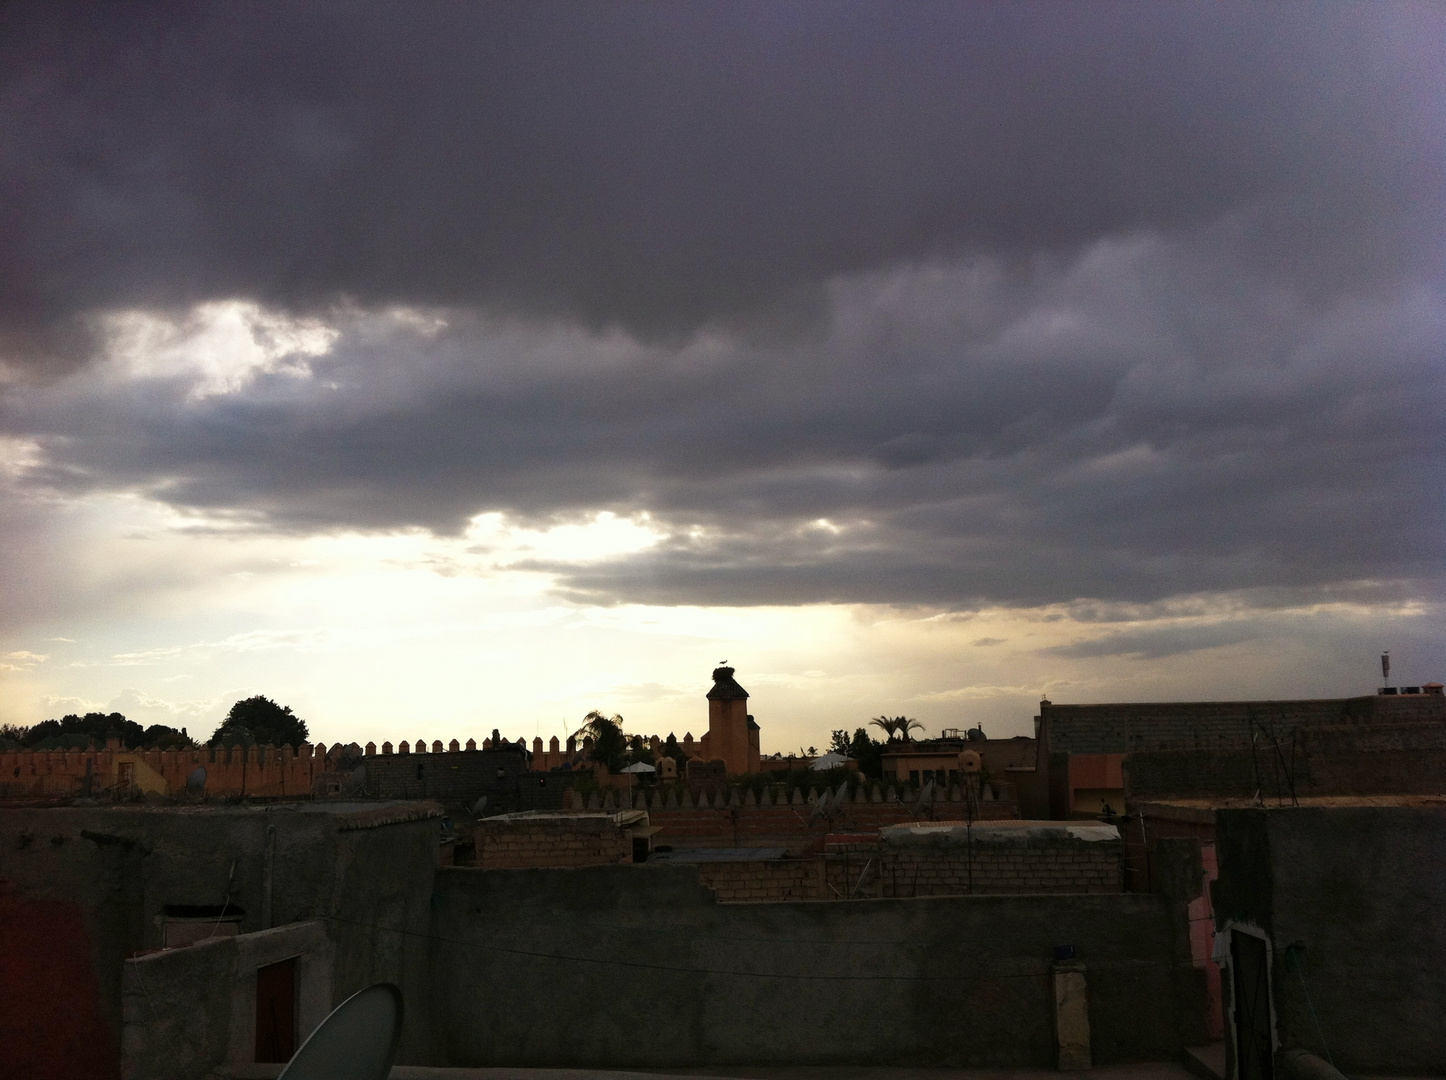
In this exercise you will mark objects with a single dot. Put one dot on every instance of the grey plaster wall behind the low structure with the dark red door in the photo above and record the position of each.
(119, 868)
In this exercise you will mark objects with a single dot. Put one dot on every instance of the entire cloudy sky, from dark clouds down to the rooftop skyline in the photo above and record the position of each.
(440, 368)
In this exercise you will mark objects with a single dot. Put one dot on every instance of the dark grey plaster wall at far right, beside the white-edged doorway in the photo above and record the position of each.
(1363, 891)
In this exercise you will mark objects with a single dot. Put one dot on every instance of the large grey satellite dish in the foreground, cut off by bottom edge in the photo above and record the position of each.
(358, 1042)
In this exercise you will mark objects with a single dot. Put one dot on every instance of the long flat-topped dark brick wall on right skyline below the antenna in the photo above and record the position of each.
(1220, 725)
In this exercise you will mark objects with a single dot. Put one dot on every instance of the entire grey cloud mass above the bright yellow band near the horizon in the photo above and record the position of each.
(941, 306)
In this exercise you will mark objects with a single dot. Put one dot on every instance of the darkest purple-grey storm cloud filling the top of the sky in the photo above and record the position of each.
(663, 167)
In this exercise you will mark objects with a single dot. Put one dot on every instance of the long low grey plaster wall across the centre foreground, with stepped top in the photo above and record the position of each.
(641, 968)
